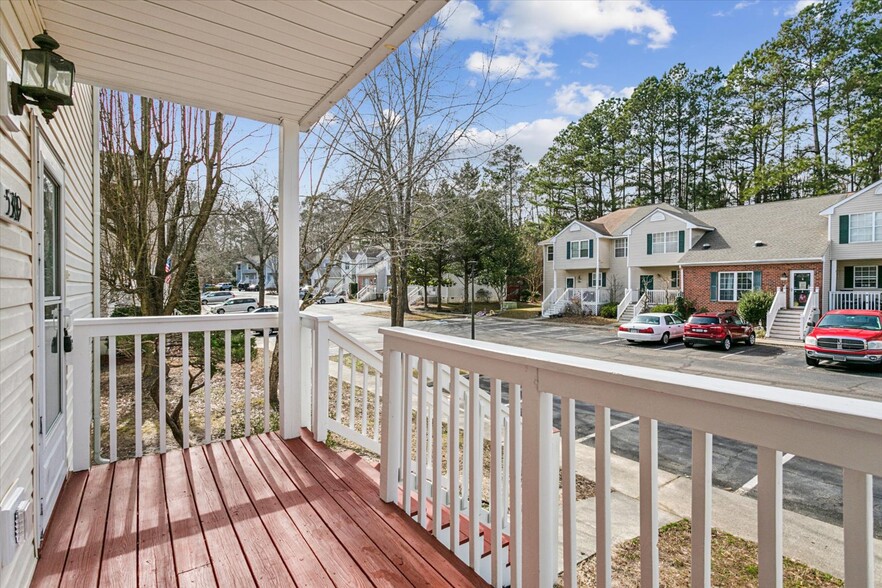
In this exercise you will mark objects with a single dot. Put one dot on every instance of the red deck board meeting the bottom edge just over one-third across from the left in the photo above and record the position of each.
(302, 564)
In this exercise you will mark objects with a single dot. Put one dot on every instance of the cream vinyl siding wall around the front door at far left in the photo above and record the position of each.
(70, 135)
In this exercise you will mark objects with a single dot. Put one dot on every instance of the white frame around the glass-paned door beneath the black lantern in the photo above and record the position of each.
(51, 446)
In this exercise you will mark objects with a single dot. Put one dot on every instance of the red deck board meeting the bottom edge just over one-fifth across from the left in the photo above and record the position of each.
(192, 563)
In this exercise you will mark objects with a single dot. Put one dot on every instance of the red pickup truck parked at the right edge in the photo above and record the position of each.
(846, 336)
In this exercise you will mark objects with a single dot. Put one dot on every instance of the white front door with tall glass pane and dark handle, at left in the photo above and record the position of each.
(51, 332)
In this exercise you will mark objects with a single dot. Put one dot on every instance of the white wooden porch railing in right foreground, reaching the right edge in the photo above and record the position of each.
(776, 420)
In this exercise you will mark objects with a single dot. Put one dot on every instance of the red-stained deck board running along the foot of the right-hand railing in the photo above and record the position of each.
(449, 565)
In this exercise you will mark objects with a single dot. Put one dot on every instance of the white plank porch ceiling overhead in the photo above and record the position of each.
(265, 60)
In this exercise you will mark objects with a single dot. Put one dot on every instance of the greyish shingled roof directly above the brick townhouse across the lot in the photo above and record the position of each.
(790, 230)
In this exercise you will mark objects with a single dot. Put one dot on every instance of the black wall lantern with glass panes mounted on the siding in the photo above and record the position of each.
(46, 79)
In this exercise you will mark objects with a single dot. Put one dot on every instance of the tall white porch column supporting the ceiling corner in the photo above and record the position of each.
(289, 280)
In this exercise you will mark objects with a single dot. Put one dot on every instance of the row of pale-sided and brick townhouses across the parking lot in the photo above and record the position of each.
(813, 253)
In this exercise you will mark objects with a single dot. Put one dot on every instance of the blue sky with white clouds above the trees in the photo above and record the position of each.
(570, 54)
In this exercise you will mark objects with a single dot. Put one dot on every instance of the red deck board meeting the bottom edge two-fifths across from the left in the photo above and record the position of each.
(338, 563)
